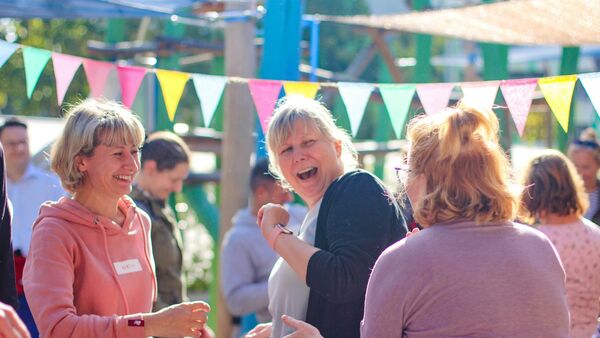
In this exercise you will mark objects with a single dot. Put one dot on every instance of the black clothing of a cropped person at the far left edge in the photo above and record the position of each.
(8, 289)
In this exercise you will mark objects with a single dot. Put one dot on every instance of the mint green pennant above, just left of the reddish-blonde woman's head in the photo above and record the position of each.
(397, 99)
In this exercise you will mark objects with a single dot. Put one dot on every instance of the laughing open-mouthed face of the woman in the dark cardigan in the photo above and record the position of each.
(309, 161)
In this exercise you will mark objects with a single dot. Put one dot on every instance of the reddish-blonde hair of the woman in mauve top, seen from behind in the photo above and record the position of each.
(465, 169)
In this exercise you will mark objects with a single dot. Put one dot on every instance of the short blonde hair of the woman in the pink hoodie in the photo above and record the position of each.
(88, 124)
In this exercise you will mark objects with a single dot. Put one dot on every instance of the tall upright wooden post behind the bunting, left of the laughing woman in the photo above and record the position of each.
(238, 142)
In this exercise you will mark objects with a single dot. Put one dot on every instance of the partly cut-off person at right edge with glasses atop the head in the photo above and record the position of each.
(585, 154)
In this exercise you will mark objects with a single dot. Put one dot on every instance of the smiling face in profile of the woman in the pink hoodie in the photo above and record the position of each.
(109, 171)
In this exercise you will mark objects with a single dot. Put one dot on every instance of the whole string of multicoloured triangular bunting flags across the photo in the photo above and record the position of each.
(397, 98)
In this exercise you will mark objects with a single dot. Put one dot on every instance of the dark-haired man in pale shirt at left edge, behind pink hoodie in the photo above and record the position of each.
(28, 187)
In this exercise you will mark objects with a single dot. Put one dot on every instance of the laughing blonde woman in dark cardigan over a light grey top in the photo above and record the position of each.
(354, 218)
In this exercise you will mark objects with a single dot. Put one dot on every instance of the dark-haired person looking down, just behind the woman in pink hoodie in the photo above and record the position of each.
(165, 164)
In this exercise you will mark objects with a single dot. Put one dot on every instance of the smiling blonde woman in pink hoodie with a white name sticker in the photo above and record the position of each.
(90, 271)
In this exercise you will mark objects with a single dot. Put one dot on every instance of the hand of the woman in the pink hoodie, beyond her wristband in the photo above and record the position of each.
(179, 320)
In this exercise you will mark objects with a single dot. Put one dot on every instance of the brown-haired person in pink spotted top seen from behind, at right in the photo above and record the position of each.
(555, 201)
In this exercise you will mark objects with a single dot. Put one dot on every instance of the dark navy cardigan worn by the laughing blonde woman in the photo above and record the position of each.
(358, 219)
